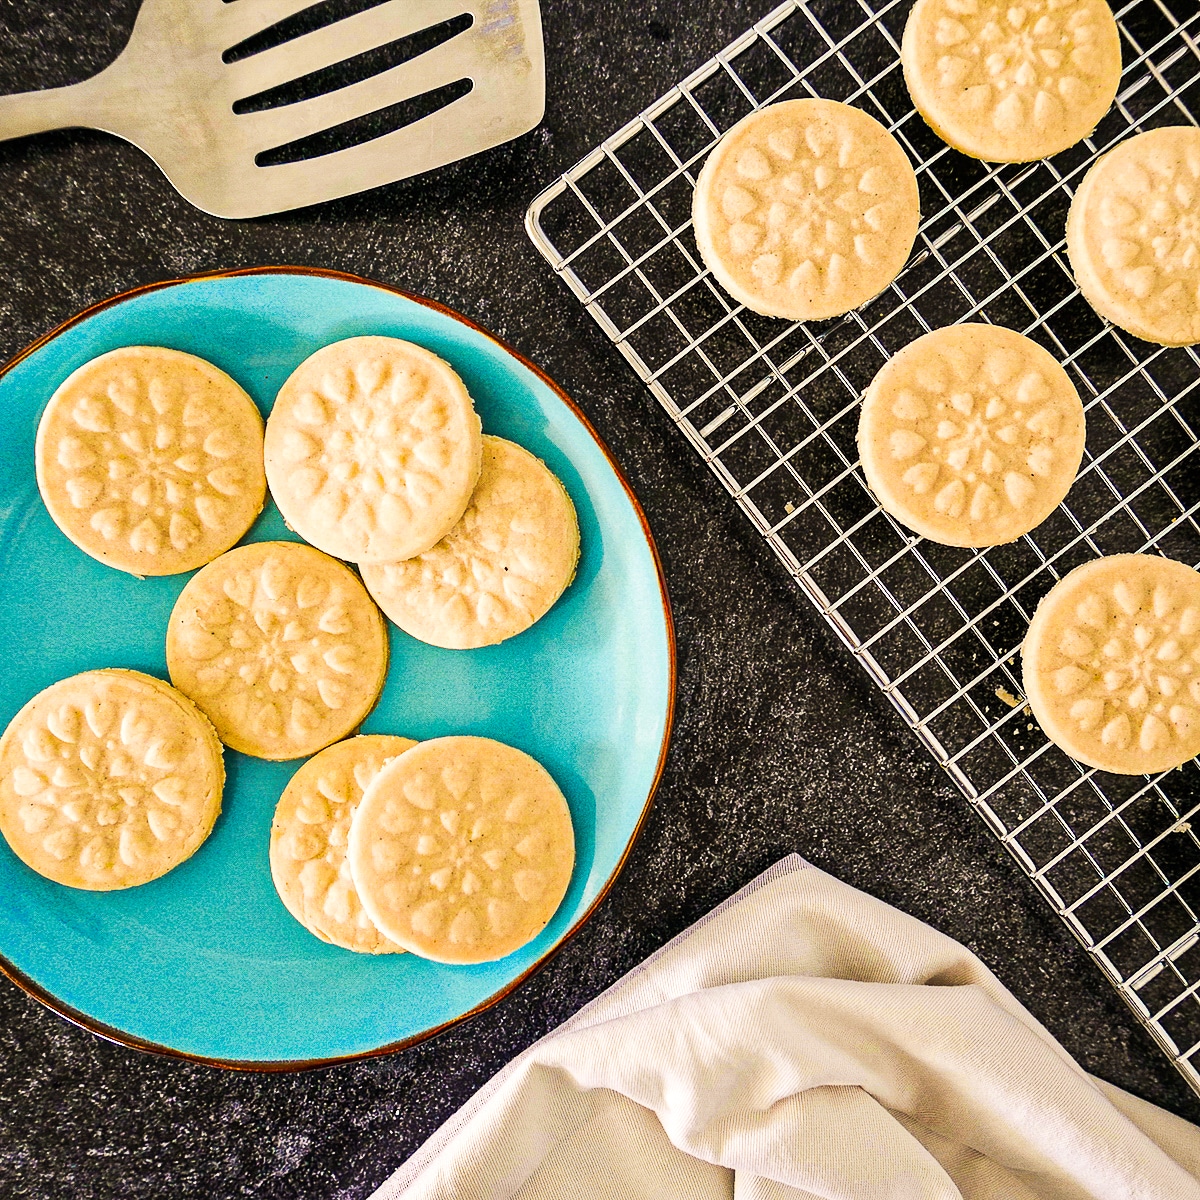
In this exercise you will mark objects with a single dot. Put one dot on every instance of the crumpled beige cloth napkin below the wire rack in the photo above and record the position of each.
(805, 1041)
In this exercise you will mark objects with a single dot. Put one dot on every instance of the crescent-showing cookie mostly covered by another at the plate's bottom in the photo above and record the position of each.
(309, 835)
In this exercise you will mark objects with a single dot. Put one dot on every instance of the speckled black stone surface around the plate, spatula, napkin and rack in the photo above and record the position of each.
(781, 743)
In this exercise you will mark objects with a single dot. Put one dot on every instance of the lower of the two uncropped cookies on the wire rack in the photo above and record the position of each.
(971, 436)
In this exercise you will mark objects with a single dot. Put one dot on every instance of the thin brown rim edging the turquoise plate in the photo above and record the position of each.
(121, 1037)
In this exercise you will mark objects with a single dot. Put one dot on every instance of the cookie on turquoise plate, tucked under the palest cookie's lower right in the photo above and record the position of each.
(500, 569)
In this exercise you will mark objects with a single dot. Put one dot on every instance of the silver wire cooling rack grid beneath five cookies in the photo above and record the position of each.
(773, 407)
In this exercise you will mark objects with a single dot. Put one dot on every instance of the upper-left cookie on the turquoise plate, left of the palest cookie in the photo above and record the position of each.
(152, 460)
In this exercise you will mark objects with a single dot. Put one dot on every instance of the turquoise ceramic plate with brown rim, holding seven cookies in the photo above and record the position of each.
(206, 963)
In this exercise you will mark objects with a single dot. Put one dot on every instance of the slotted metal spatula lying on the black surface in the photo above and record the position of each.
(172, 94)
